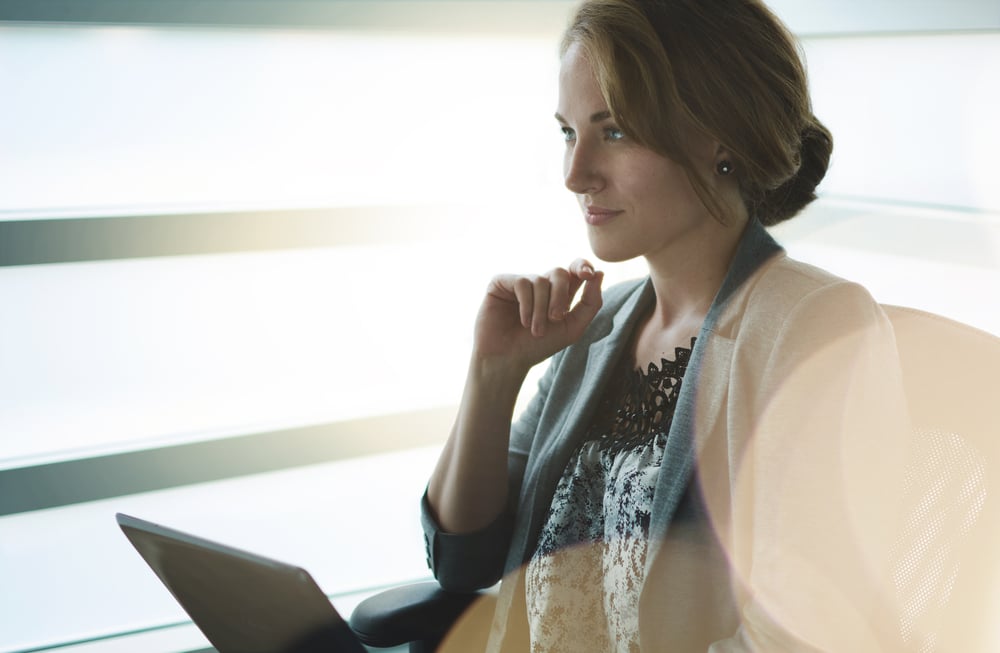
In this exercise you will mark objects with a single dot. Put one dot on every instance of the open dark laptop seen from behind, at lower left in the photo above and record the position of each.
(242, 602)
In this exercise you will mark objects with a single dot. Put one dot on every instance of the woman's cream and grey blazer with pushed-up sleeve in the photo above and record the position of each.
(777, 500)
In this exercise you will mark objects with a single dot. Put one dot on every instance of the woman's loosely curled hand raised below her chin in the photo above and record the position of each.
(524, 319)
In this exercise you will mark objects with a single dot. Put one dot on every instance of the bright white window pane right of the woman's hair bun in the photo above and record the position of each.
(913, 117)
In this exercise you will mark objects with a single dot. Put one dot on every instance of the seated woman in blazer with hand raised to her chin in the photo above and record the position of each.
(708, 463)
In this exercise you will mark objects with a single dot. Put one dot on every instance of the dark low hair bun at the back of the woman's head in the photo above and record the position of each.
(796, 193)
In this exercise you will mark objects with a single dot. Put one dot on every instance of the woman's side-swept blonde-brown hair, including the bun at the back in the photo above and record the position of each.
(728, 69)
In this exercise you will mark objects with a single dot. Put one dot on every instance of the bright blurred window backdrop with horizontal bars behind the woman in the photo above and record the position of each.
(242, 244)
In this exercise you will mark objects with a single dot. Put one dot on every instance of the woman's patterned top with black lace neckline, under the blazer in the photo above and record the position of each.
(583, 582)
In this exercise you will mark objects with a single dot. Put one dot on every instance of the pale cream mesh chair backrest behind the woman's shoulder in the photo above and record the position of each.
(948, 567)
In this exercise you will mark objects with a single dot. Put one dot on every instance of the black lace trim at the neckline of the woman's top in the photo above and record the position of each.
(638, 407)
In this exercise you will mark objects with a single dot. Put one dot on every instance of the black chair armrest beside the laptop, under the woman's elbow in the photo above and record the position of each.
(417, 612)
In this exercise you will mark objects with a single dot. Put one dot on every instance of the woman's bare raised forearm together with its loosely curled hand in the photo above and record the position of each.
(524, 319)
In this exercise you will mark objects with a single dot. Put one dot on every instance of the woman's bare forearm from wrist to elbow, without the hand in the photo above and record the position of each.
(468, 489)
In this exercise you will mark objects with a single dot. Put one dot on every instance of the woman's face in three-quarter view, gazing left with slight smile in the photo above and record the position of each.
(635, 202)
